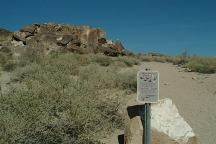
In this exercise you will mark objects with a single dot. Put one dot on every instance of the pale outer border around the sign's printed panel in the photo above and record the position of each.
(138, 86)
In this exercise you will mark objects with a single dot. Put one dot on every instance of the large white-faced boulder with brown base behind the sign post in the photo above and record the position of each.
(167, 126)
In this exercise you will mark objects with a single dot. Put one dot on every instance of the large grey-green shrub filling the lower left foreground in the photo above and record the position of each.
(45, 114)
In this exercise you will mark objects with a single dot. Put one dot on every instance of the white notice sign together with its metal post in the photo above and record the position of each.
(147, 93)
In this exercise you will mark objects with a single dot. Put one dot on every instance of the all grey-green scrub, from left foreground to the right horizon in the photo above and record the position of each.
(63, 98)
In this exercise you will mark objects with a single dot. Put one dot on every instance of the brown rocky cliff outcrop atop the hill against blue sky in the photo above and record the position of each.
(64, 38)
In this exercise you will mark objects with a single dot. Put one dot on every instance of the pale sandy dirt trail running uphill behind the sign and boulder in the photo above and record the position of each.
(194, 95)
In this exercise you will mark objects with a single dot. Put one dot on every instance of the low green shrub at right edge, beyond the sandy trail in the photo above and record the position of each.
(202, 65)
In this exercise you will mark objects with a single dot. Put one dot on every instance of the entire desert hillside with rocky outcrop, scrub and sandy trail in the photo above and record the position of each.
(69, 84)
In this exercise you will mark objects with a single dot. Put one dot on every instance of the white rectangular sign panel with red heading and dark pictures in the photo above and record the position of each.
(147, 86)
